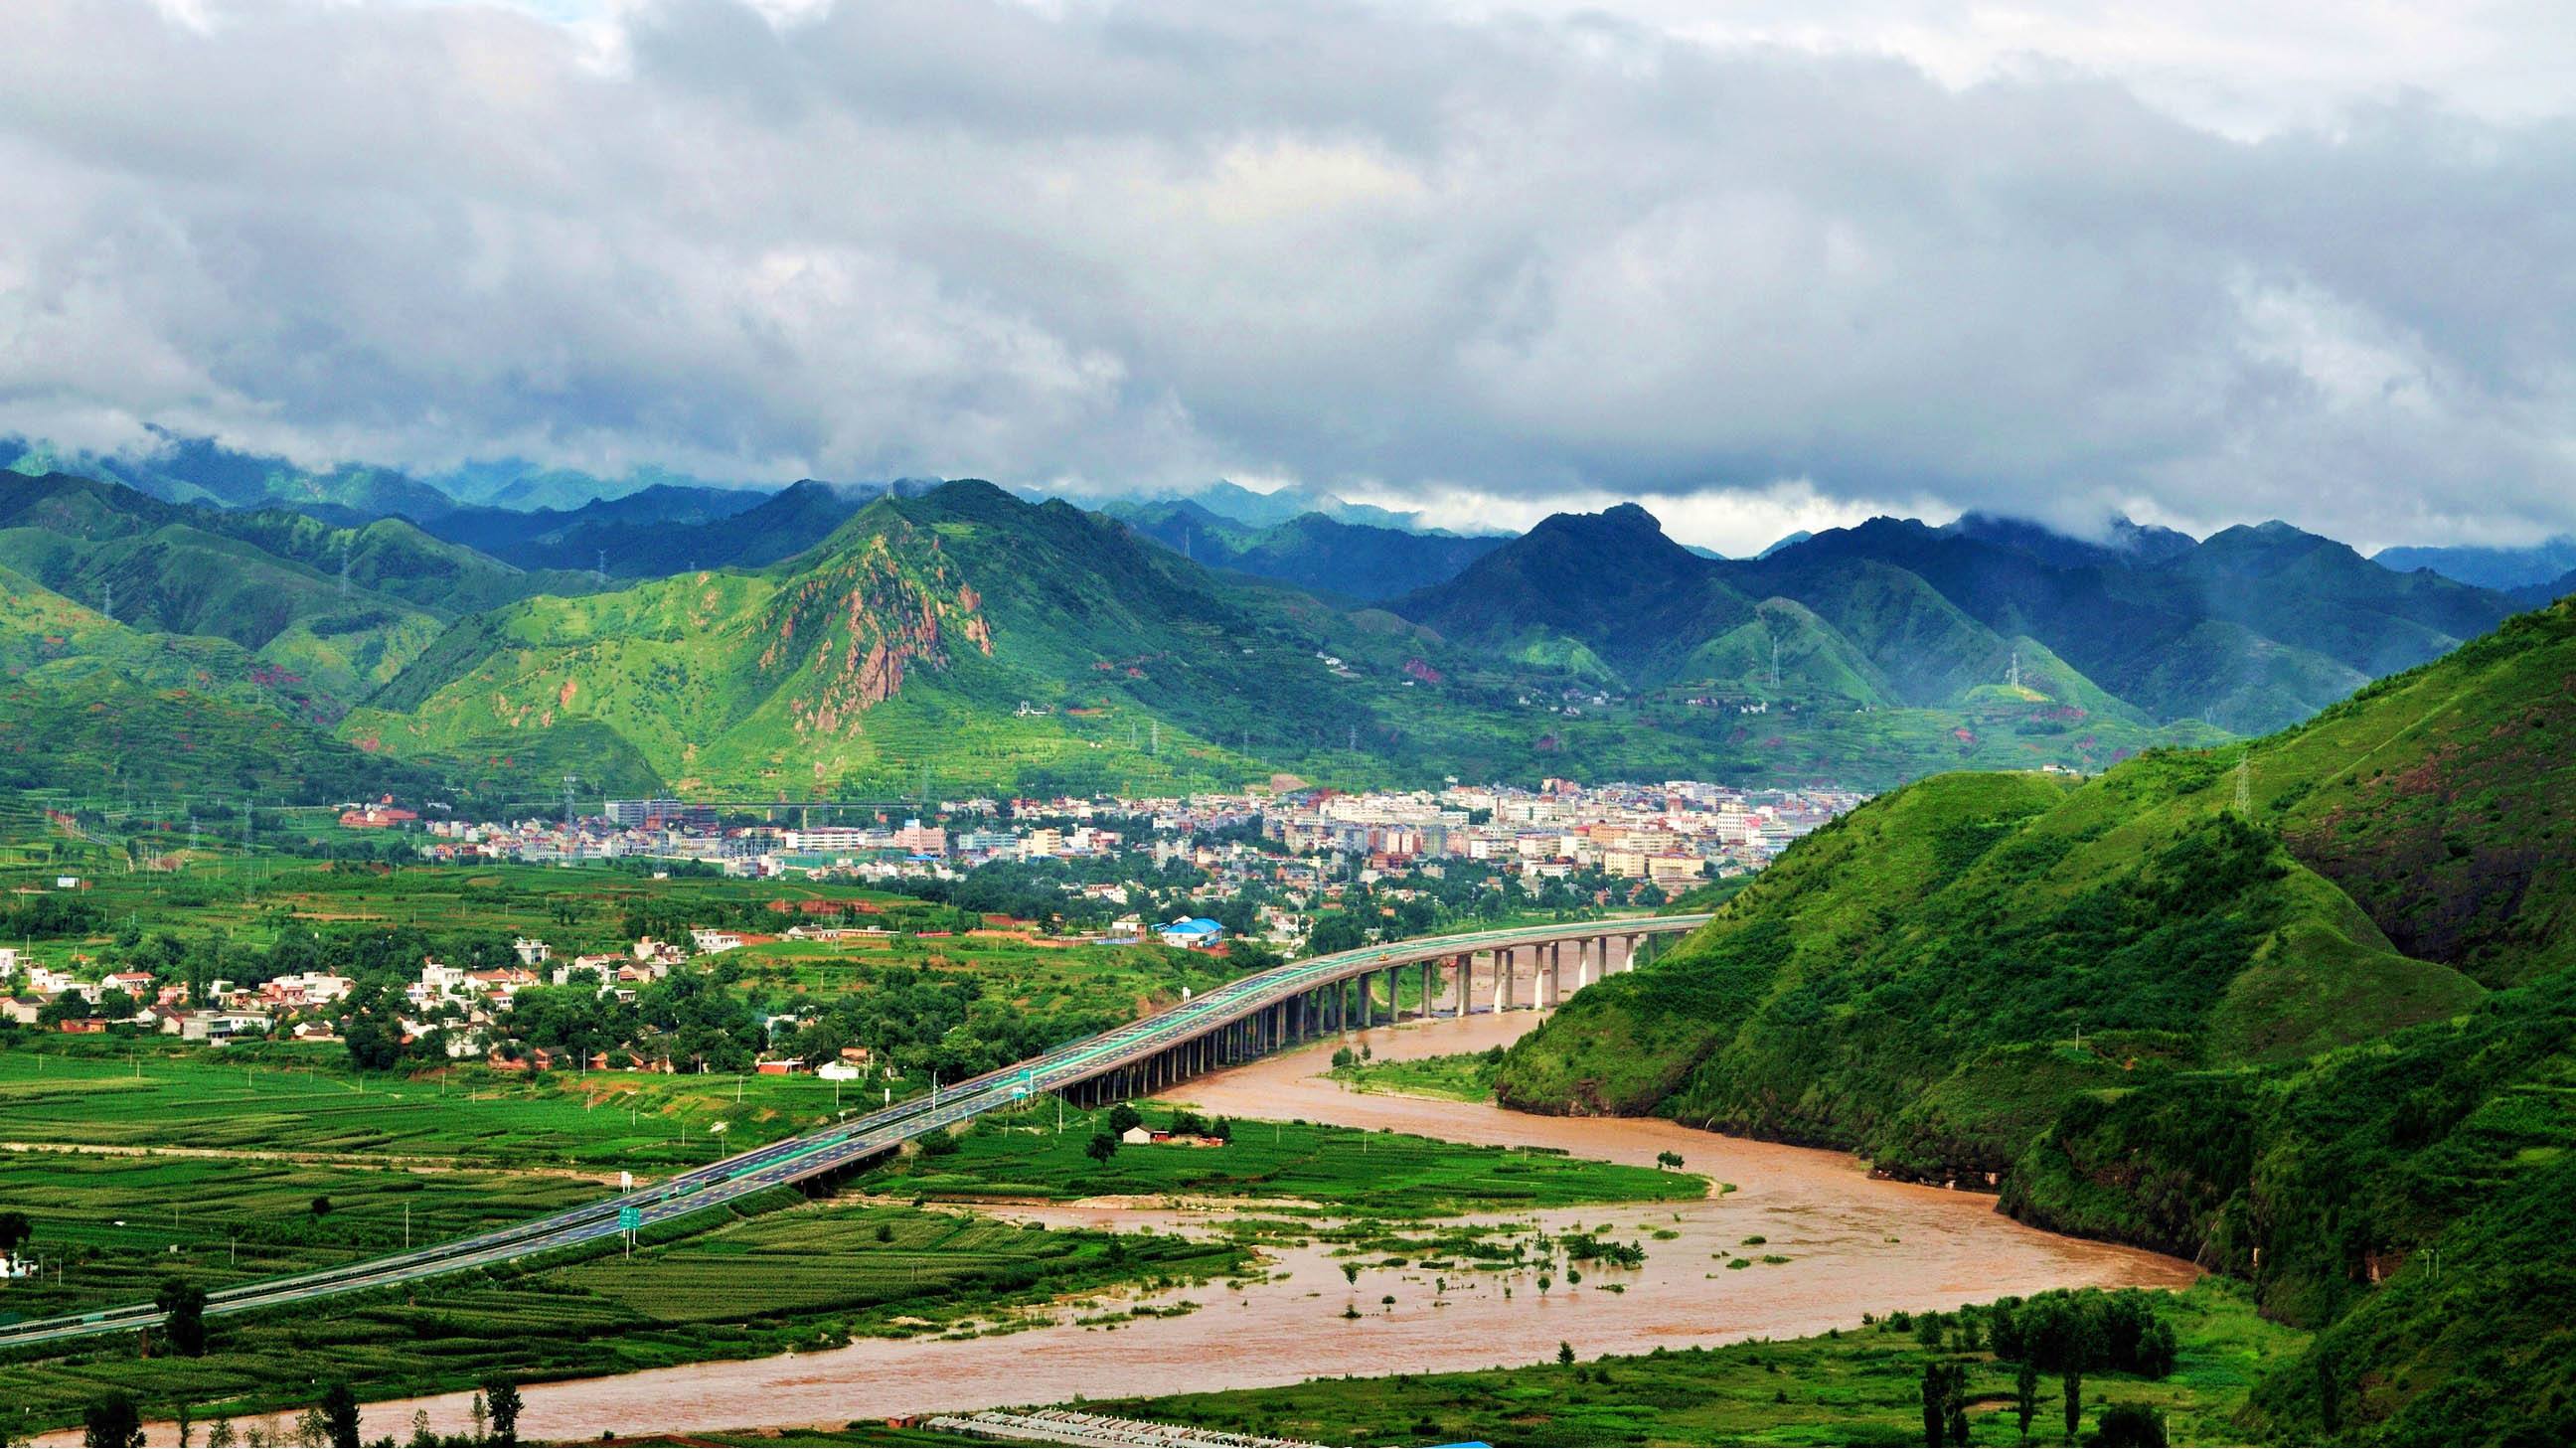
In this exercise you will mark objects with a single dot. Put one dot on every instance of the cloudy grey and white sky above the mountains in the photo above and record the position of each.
(1763, 264)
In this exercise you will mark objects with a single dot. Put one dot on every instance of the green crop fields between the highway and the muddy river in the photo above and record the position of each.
(772, 1278)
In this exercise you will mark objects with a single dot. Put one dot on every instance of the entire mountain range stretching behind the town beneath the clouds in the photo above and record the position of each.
(1189, 648)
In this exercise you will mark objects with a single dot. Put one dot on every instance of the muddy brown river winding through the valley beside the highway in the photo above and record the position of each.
(1853, 1244)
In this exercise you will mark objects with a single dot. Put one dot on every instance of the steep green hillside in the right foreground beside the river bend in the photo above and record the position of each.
(2297, 1009)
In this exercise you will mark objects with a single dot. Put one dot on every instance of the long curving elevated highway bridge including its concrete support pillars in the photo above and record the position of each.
(1485, 971)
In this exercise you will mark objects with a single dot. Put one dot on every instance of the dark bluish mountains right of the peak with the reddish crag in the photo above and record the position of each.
(2248, 630)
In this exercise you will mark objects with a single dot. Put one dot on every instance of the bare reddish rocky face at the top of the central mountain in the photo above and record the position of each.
(867, 620)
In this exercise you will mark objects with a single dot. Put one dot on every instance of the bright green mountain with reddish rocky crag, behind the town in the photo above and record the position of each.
(1003, 643)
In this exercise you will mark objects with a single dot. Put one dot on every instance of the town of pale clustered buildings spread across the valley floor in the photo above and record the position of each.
(1248, 880)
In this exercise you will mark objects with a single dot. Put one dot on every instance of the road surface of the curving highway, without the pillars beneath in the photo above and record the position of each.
(844, 1143)
